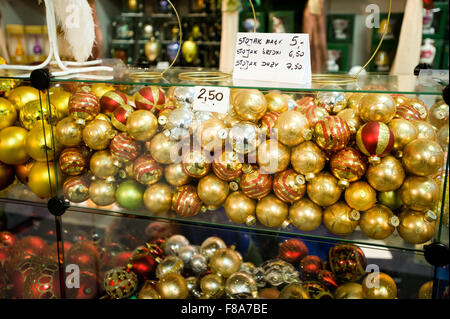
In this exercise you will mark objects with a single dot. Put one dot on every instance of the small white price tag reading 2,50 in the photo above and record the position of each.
(212, 99)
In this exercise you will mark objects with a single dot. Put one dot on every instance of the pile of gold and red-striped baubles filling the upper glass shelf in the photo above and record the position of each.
(342, 159)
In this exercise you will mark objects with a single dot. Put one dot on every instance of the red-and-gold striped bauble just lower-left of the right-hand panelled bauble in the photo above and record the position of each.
(348, 165)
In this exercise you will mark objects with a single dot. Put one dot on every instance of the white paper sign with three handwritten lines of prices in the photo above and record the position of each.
(273, 57)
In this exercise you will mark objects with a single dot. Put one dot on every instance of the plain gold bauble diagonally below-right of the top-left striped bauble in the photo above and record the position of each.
(97, 134)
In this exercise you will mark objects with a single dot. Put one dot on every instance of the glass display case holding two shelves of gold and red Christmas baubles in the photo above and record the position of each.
(318, 191)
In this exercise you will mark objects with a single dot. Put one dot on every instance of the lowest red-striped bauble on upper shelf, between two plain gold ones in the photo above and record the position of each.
(185, 201)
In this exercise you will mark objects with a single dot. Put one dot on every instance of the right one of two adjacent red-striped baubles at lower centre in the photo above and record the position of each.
(289, 186)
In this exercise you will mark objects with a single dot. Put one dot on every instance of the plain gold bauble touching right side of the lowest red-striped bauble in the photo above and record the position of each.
(212, 190)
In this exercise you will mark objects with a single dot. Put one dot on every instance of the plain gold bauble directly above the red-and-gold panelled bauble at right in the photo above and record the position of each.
(377, 108)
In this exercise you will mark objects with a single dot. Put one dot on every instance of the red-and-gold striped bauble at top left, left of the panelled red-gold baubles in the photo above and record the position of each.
(83, 106)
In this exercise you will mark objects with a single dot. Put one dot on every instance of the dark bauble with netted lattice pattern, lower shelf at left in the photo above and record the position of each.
(120, 283)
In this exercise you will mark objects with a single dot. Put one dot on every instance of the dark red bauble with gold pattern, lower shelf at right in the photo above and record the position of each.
(347, 262)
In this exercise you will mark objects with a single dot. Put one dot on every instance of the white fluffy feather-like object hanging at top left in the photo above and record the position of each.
(75, 17)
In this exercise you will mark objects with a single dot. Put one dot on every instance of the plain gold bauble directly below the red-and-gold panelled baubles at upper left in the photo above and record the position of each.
(142, 125)
